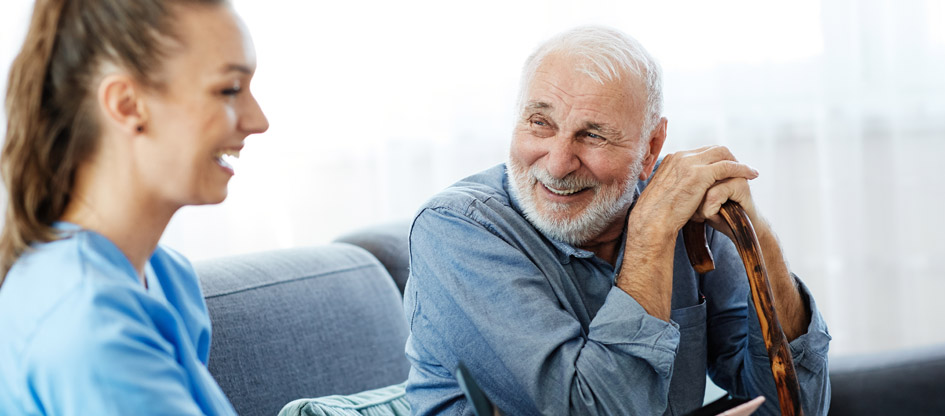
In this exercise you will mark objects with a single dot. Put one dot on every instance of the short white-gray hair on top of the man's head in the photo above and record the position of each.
(607, 55)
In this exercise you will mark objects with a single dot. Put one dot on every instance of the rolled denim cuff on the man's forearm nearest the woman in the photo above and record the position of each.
(623, 324)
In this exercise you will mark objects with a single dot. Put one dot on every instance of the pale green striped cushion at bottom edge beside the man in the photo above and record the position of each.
(387, 401)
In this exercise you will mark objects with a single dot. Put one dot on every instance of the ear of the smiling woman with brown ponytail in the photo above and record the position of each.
(121, 101)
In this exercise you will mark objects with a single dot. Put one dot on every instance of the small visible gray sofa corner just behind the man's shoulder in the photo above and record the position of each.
(387, 242)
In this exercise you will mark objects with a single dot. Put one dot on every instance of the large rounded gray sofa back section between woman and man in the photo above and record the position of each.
(303, 322)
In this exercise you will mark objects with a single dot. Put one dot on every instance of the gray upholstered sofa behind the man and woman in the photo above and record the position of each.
(328, 320)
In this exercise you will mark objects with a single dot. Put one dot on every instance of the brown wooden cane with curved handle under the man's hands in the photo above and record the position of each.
(779, 353)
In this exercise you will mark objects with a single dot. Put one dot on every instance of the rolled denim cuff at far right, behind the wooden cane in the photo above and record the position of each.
(808, 350)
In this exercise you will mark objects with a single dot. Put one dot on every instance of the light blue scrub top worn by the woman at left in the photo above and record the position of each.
(80, 335)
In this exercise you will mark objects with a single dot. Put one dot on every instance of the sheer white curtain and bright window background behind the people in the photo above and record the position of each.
(375, 105)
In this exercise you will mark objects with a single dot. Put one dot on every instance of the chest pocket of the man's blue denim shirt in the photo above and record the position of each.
(687, 387)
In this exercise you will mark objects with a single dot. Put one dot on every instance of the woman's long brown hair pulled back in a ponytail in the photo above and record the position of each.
(52, 117)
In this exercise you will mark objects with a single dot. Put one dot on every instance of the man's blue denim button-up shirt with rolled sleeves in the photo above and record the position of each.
(542, 327)
